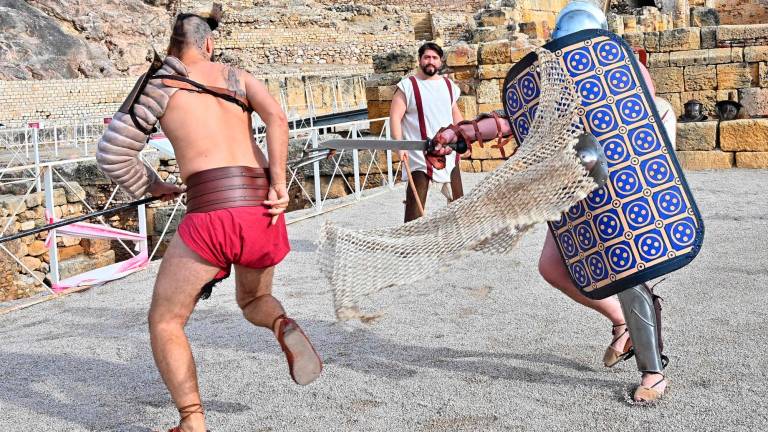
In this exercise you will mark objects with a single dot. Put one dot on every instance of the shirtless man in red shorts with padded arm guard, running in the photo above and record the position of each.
(235, 200)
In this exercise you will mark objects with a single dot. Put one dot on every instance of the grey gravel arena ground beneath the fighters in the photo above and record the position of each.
(486, 346)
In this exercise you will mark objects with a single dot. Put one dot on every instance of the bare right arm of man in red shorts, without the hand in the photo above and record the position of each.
(277, 126)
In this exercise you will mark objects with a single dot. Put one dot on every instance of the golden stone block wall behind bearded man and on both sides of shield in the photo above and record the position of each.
(688, 63)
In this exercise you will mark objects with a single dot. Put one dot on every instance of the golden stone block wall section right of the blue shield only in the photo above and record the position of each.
(709, 64)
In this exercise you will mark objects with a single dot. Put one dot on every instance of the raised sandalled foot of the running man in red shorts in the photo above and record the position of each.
(304, 363)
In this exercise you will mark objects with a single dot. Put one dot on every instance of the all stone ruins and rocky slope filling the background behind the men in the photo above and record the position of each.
(67, 59)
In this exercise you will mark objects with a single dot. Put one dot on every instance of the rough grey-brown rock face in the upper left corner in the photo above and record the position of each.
(49, 39)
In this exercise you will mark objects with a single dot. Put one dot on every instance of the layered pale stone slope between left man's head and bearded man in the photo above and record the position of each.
(268, 37)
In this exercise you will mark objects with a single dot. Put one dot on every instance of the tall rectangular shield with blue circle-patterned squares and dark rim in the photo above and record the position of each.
(644, 222)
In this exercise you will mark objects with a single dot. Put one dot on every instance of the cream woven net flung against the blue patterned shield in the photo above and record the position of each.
(539, 182)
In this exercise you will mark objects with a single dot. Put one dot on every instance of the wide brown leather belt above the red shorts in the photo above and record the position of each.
(226, 187)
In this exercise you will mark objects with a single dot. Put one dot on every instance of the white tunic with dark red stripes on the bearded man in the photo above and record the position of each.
(438, 113)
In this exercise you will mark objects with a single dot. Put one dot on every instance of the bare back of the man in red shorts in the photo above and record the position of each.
(209, 132)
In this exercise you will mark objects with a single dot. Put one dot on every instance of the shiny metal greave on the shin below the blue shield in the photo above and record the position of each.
(640, 315)
